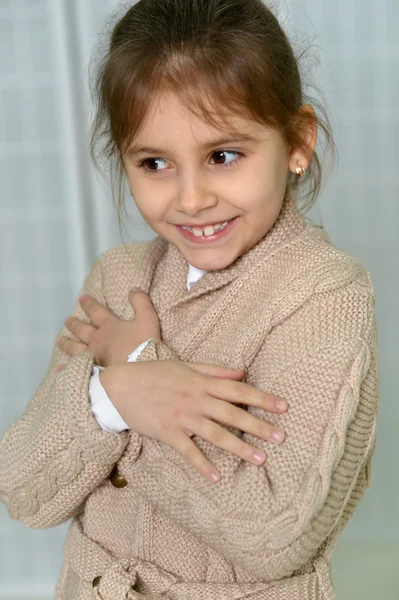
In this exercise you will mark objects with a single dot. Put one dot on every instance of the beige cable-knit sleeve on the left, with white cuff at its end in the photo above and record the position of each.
(55, 454)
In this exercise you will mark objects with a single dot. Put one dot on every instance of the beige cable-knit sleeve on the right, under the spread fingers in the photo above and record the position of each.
(271, 519)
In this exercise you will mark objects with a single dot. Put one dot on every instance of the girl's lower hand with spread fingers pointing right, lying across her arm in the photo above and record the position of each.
(171, 400)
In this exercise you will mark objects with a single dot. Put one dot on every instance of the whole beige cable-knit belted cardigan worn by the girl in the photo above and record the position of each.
(299, 315)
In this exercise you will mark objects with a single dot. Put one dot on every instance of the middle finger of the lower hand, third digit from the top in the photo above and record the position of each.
(233, 416)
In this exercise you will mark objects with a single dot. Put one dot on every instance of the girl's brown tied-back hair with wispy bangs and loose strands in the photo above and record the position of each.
(229, 56)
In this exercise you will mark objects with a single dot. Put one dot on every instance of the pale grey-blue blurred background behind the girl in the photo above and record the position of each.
(56, 217)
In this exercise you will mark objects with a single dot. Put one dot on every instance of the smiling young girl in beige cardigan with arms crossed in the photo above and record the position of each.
(201, 105)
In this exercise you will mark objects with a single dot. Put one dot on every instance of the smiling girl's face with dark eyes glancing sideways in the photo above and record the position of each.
(192, 179)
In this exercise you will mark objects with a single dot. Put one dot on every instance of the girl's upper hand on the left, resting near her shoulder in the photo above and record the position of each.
(110, 338)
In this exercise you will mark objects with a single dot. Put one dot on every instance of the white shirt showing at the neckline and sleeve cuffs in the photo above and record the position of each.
(103, 409)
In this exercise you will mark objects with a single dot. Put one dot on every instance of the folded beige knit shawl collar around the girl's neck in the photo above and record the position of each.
(289, 224)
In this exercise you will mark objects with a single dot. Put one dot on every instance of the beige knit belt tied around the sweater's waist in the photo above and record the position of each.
(116, 578)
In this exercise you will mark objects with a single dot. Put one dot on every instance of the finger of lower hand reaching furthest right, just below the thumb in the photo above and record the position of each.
(242, 393)
